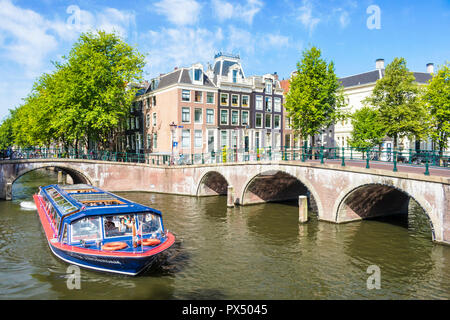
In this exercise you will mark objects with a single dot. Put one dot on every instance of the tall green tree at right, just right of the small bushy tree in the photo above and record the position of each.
(396, 97)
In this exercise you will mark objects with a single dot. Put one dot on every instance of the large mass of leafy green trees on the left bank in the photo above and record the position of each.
(86, 97)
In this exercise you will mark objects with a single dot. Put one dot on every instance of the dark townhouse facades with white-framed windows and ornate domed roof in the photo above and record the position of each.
(249, 108)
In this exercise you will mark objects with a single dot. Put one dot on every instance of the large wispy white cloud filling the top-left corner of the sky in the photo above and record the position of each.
(28, 38)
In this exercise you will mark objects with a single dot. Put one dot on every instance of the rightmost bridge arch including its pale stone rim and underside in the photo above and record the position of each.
(372, 200)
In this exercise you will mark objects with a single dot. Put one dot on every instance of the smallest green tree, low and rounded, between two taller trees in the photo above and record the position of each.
(368, 130)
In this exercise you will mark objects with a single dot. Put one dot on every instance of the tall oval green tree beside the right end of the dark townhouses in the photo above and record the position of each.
(315, 95)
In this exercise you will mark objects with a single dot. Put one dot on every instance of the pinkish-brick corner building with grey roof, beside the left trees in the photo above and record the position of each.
(180, 110)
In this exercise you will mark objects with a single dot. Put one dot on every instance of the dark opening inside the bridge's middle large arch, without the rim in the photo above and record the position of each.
(277, 186)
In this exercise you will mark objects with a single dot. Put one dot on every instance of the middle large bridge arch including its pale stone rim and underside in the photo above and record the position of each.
(281, 186)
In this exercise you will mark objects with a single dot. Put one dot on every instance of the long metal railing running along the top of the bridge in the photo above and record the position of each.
(344, 156)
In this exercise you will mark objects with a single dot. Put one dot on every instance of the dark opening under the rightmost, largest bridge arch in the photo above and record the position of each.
(387, 204)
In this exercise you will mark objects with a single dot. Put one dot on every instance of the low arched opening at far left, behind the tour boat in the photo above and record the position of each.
(27, 181)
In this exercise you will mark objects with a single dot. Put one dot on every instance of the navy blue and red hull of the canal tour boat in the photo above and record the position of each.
(128, 263)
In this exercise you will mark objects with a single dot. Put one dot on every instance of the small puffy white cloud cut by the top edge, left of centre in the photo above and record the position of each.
(179, 12)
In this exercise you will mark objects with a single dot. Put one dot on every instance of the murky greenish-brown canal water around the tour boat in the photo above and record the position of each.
(255, 252)
